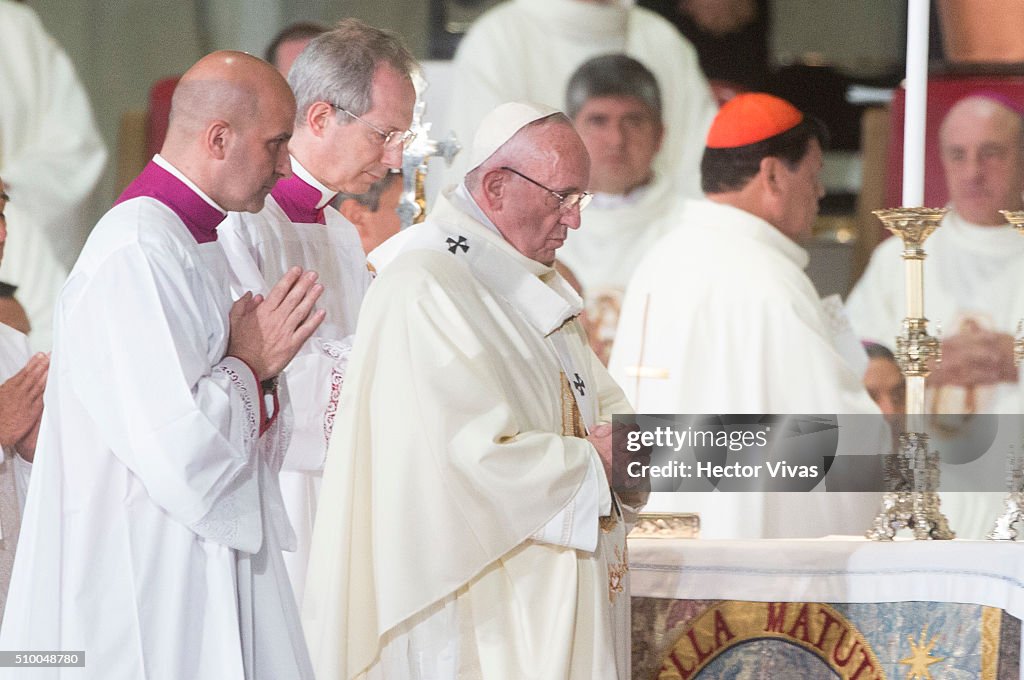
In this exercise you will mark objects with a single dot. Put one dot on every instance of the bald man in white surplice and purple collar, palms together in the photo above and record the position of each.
(154, 525)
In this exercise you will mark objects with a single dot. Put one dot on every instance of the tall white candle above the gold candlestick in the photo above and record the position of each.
(917, 103)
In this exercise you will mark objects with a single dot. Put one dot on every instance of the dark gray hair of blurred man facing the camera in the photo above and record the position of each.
(613, 76)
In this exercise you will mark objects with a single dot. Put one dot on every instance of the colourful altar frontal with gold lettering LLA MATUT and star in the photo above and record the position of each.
(717, 640)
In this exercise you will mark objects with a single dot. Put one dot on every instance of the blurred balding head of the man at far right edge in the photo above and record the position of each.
(983, 144)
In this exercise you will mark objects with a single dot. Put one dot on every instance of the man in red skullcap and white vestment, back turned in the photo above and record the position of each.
(721, 319)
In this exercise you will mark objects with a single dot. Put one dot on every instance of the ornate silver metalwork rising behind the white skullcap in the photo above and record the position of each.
(413, 207)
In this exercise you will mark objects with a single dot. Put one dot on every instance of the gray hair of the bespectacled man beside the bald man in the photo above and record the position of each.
(338, 67)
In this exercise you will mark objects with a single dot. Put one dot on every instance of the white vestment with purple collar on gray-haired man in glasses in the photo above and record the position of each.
(298, 228)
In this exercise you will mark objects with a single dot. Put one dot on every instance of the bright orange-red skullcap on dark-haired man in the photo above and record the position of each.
(750, 118)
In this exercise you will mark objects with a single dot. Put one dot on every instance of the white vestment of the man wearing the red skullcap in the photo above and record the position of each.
(721, 319)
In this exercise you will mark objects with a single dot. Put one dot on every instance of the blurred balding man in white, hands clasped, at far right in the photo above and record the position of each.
(974, 281)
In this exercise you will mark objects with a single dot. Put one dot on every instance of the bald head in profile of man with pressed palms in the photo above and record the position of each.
(232, 116)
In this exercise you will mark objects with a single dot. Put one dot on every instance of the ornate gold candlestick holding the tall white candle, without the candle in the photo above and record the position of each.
(912, 498)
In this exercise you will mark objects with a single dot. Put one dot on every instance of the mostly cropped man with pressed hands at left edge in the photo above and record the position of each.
(23, 378)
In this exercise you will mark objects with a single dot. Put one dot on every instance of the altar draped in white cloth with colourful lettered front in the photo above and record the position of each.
(841, 608)
